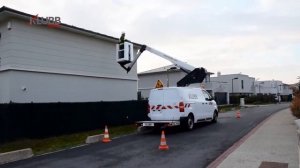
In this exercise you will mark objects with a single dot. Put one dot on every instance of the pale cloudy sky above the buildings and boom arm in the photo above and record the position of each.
(259, 38)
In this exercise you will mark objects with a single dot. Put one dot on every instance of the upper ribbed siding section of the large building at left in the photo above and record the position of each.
(39, 47)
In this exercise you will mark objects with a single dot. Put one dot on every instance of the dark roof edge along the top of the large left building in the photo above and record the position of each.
(63, 25)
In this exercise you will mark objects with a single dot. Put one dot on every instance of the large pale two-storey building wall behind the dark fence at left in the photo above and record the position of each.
(64, 64)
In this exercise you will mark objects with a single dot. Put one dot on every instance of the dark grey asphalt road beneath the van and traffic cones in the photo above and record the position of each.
(195, 148)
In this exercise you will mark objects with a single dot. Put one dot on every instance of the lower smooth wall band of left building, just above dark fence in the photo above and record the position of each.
(45, 87)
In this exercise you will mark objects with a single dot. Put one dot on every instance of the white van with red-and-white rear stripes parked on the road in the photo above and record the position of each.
(183, 106)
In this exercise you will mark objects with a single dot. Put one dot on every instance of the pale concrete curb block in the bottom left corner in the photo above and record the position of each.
(15, 155)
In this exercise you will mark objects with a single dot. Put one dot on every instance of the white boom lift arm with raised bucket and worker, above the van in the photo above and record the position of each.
(194, 75)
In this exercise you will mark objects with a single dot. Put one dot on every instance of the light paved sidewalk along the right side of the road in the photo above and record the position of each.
(274, 141)
